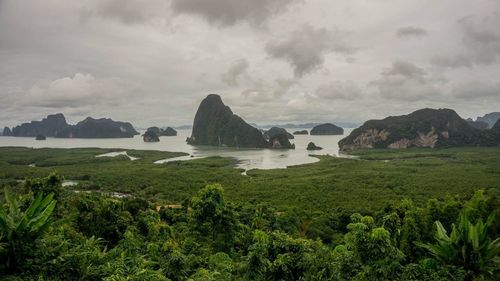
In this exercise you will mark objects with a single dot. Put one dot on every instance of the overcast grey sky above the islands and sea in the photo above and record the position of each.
(151, 62)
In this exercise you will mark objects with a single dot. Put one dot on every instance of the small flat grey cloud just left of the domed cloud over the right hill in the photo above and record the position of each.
(345, 90)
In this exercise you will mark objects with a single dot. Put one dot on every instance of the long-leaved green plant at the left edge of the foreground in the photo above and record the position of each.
(19, 228)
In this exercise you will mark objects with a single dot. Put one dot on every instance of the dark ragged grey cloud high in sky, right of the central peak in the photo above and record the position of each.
(305, 48)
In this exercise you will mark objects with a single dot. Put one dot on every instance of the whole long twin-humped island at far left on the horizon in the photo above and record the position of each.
(55, 125)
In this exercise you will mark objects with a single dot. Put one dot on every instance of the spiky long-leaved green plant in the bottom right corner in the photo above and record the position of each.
(467, 246)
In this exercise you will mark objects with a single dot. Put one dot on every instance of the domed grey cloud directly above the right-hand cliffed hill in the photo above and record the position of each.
(405, 81)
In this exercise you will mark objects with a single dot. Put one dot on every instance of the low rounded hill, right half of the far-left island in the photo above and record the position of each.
(98, 128)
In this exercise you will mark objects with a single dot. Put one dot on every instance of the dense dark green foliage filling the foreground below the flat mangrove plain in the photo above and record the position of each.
(90, 236)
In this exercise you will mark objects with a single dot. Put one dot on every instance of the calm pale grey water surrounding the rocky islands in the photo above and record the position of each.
(247, 158)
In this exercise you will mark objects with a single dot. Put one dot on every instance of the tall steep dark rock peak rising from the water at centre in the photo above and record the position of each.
(215, 124)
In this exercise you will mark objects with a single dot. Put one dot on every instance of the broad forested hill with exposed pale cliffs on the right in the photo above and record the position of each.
(422, 128)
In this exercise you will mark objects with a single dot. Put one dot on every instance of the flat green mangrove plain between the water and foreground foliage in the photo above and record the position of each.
(365, 184)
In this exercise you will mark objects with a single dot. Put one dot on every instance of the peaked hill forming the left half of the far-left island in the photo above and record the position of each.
(49, 126)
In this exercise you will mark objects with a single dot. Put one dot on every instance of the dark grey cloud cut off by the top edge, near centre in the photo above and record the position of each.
(229, 12)
